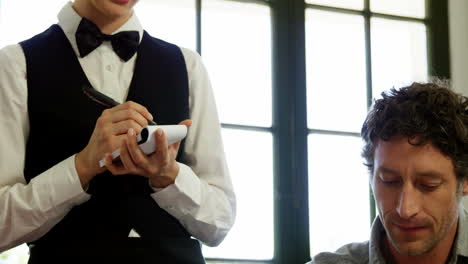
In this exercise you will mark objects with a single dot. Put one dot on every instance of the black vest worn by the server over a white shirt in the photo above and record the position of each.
(62, 119)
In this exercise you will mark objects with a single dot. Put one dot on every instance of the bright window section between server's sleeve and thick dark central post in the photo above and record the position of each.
(236, 47)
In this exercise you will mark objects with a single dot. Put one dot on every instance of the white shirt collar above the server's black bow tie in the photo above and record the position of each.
(69, 20)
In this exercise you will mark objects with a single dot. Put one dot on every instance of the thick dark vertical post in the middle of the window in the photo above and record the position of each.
(290, 132)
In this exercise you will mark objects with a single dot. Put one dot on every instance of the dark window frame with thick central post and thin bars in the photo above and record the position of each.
(289, 122)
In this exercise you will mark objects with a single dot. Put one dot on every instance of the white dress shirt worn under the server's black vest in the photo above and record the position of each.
(202, 197)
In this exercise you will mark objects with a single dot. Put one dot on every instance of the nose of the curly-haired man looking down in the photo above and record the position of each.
(408, 202)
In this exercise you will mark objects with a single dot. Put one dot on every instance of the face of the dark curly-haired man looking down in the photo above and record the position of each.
(416, 192)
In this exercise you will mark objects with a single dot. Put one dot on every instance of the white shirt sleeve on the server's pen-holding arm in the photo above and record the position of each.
(27, 211)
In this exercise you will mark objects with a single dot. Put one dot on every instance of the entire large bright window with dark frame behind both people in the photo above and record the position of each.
(293, 80)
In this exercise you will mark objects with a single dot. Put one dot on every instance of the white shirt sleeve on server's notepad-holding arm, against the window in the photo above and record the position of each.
(202, 197)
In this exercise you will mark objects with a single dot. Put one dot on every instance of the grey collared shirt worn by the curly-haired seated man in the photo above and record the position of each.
(369, 251)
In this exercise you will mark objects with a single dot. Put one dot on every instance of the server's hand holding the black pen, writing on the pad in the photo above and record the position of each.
(109, 133)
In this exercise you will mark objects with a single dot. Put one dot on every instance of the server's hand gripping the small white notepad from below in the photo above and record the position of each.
(160, 168)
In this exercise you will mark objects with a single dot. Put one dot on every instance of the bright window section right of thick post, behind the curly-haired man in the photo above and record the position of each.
(342, 78)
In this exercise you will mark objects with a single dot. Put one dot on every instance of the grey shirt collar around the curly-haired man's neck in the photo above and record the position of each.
(460, 248)
